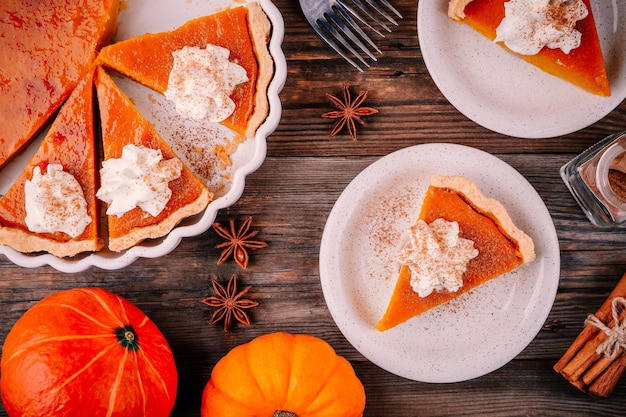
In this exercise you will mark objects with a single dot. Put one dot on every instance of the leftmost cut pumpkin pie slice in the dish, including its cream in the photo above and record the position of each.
(67, 156)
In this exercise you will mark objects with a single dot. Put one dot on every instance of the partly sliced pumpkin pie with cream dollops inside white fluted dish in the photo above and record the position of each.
(53, 205)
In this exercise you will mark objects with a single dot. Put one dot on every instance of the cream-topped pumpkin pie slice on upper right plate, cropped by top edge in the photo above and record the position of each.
(575, 56)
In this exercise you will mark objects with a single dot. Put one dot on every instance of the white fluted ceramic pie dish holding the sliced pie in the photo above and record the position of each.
(139, 17)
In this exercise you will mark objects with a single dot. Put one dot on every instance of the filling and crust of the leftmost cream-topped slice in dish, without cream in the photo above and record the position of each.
(70, 144)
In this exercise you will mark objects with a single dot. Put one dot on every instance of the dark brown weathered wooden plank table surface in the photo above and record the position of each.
(290, 198)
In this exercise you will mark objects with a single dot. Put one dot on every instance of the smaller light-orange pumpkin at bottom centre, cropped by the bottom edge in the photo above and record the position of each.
(281, 374)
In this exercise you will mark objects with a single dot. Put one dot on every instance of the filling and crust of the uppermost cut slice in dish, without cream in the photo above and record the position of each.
(244, 31)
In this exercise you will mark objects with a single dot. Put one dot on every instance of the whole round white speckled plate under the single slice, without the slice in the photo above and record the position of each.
(470, 336)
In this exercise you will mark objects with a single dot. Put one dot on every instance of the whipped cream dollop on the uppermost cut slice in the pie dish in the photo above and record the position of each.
(202, 81)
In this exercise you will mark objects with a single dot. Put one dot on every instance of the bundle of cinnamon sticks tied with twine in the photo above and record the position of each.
(586, 365)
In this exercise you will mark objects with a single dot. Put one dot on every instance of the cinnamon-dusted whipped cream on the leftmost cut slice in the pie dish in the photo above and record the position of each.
(55, 202)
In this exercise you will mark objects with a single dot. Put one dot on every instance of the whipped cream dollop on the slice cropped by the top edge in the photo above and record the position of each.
(529, 25)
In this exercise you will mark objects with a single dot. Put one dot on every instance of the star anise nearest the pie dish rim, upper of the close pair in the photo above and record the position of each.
(238, 242)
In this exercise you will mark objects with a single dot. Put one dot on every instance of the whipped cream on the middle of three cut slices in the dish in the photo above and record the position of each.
(140, 178)
